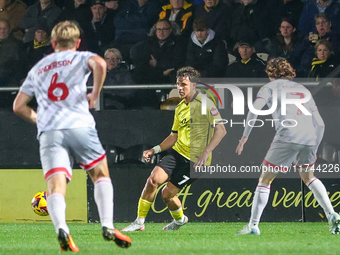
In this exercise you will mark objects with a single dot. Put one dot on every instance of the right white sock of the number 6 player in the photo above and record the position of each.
(103, 196)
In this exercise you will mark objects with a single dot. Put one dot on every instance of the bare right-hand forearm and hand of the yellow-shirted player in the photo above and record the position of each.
(219, 133)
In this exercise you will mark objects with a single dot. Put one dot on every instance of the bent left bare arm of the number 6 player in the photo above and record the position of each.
(21, 108)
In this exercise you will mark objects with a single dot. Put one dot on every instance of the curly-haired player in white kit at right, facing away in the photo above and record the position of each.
(296, 144)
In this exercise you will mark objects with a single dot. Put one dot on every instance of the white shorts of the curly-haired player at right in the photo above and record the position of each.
(281, 156)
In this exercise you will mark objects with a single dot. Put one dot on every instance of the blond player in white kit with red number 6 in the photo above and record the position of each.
(66, 128)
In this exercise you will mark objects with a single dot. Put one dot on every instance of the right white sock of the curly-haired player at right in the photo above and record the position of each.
(320, 194)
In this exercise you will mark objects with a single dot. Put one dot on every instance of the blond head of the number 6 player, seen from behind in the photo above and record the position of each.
(65, 34)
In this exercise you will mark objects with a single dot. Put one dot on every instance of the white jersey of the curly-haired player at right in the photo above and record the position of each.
(304, 131)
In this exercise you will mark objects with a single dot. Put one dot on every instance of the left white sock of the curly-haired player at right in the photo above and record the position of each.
(260, 200)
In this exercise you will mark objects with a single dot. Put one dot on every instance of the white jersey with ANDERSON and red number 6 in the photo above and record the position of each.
(58, 82)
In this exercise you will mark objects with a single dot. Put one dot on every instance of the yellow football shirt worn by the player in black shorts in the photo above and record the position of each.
(194, 129)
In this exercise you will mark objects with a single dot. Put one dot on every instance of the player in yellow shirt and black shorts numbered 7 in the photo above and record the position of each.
(193, 137)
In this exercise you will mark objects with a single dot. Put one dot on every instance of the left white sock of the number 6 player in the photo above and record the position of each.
(56, 207)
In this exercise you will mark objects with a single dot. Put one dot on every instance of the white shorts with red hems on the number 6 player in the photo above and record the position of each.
(60, 148)
